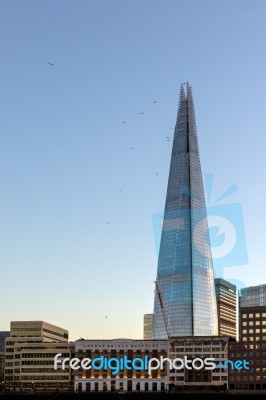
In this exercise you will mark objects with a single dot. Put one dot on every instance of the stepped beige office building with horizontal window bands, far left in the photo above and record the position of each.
(29, 357)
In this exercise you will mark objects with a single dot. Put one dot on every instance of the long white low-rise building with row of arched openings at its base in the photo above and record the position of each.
(124, 379)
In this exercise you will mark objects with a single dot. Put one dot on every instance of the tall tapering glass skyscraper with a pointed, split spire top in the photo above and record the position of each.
(185, 302)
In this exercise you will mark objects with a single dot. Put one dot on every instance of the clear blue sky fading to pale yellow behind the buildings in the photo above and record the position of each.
(65, 154)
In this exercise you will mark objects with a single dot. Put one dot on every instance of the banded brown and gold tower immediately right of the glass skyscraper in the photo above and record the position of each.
(226, 297)
